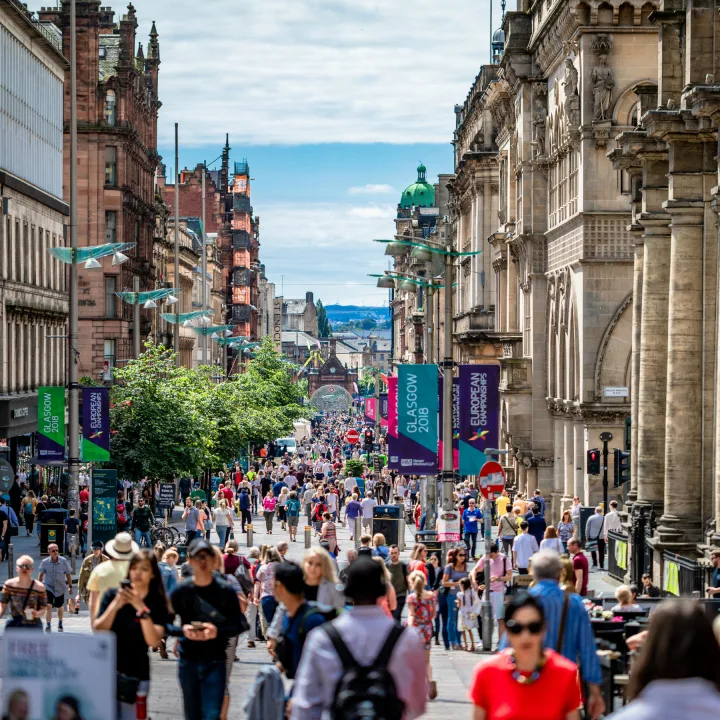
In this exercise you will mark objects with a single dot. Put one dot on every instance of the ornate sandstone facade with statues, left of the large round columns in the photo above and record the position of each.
(551, 214)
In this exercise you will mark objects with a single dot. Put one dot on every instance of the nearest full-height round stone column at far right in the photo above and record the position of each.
(683, 416)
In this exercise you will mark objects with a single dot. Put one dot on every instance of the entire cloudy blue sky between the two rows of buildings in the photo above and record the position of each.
(333, 102)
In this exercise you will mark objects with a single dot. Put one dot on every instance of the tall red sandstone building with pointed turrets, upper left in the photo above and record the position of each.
(117, 102)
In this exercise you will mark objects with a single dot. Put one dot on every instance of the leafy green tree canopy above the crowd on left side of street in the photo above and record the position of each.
(168, 421)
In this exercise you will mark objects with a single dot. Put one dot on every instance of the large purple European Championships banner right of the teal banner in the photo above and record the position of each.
(479, 415)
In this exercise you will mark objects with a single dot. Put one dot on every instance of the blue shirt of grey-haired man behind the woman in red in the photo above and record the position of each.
(579, 641)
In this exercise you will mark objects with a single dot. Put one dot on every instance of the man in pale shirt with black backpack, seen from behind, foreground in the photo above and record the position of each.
(362, 664)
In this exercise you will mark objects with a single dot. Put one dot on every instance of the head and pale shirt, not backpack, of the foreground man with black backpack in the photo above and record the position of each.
(364, 630)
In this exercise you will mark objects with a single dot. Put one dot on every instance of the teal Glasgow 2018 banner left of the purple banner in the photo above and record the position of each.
(414, 451)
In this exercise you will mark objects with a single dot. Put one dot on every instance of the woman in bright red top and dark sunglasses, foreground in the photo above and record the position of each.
(526, 681)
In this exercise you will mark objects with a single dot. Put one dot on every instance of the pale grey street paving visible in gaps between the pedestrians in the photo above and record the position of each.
(452, 670)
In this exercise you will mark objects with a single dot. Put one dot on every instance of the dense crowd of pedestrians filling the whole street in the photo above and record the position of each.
(352, 634)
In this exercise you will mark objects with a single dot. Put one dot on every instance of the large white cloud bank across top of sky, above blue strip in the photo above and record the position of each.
(307, 71)
